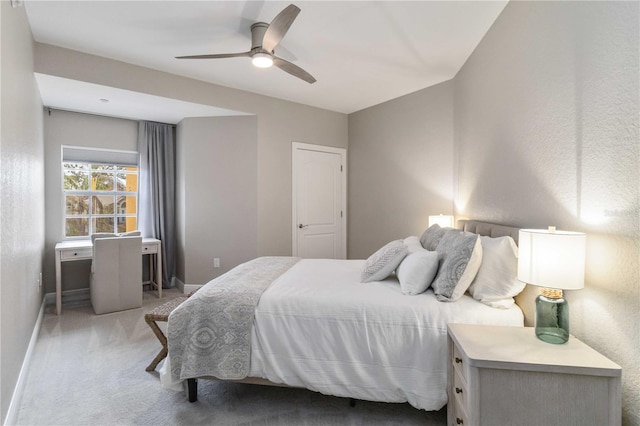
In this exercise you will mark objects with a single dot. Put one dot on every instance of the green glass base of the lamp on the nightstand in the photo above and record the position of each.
(552, 318)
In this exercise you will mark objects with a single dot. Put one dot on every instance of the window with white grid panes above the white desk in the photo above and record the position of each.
(99, 198)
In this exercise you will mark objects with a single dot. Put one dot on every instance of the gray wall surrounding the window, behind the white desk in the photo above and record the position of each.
(71, 128)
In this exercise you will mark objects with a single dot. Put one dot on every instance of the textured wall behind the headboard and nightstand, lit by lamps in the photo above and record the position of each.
(546, 133)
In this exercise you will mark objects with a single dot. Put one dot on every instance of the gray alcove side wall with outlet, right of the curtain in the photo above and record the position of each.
(217, 195)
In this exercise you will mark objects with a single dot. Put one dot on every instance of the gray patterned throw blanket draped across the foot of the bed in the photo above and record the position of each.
(210, 333)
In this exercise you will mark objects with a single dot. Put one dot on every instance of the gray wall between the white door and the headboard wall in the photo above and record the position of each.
(400, 168)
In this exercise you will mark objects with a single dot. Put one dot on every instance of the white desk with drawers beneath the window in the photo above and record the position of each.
(82, 250)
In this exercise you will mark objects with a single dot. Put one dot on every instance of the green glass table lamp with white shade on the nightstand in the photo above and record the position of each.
(555, 261)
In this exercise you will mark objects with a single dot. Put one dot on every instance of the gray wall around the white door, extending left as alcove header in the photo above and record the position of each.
(278, 124)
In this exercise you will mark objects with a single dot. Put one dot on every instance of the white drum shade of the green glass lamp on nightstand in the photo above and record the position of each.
(552, 259)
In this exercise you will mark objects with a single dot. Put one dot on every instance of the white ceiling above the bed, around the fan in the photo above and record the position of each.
(362, 53)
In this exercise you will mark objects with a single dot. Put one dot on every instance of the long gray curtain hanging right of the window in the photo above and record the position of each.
(157, 207)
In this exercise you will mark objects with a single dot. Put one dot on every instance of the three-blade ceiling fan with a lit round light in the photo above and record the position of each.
(264, 39)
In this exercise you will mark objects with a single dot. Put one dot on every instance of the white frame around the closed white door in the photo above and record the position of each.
(294, 214)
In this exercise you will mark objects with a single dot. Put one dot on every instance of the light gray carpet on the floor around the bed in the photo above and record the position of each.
(90, 370)
